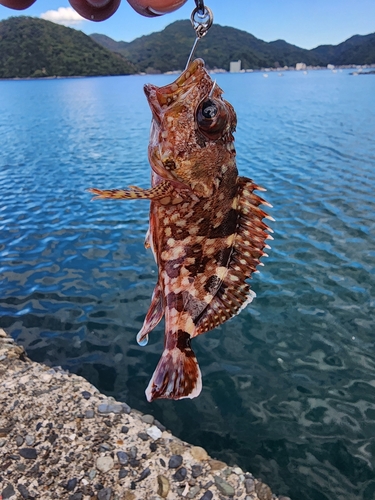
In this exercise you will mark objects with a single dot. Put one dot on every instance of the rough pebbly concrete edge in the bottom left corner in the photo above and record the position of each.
(60, 438)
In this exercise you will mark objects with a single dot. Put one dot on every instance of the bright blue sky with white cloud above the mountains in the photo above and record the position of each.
(305, 23)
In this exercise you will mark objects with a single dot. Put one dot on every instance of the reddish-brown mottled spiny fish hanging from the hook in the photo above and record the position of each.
(206, 226)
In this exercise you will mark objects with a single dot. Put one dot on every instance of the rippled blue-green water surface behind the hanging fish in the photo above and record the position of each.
(289, 384)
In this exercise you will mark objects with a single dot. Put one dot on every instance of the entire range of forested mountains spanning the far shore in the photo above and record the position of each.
(31, 47)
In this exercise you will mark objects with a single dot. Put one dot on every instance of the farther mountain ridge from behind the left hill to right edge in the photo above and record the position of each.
(168, 49)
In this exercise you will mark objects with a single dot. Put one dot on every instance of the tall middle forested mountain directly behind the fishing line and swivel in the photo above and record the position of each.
(169, 49)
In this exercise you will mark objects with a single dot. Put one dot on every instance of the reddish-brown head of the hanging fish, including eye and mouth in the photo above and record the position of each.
(192, 129)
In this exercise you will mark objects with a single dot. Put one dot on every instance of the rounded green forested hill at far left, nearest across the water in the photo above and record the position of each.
(31, 47)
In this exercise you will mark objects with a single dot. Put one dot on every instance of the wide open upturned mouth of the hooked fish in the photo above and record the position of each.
(163, 96)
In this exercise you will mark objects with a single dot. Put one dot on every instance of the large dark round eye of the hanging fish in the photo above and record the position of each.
(212, 118)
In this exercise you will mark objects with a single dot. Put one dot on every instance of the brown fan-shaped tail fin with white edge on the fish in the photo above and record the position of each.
(177, 376)
